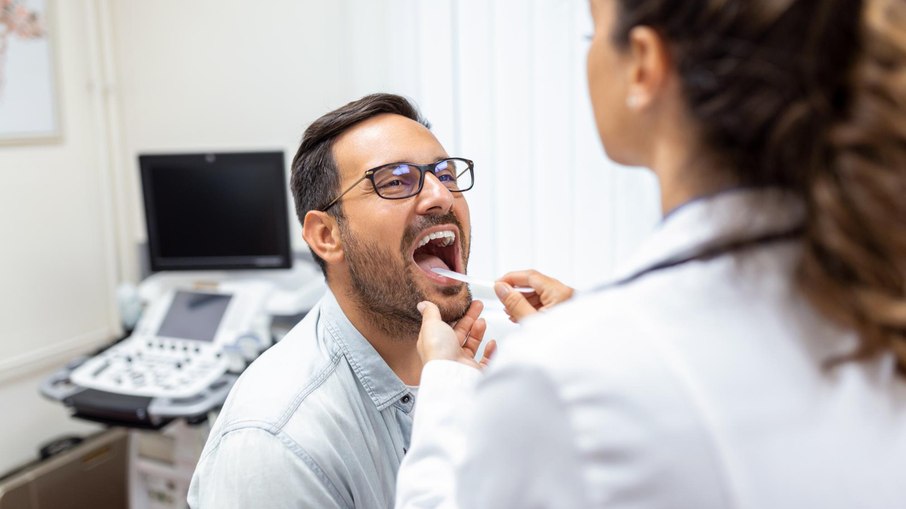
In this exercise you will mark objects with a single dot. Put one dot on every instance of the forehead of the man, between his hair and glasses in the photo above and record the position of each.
(386, 138)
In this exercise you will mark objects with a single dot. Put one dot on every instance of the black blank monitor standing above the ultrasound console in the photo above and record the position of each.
(216, 211)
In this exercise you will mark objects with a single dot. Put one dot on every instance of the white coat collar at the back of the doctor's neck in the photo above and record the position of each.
(728, 215)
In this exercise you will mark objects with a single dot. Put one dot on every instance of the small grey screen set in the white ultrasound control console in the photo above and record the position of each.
(194, 315)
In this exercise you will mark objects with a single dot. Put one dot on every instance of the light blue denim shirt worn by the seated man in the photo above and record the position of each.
(319, 420)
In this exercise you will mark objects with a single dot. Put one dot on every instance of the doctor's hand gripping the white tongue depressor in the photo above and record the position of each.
(548, 293)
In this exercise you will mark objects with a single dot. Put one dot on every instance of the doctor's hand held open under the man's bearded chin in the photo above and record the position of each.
(438, 341)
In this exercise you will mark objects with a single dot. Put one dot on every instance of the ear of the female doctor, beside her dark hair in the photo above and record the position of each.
(650, 65)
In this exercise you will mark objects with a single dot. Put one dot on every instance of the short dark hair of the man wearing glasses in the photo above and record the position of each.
(315, 178)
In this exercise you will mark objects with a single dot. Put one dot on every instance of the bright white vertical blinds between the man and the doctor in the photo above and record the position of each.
(503, 82)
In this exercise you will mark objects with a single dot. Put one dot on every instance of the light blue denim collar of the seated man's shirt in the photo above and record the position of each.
(379, 381)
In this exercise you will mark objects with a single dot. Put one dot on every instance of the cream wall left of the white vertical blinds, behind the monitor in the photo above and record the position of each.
(134, 77)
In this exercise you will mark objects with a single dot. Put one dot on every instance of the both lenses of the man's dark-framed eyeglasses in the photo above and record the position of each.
(401, 180)
